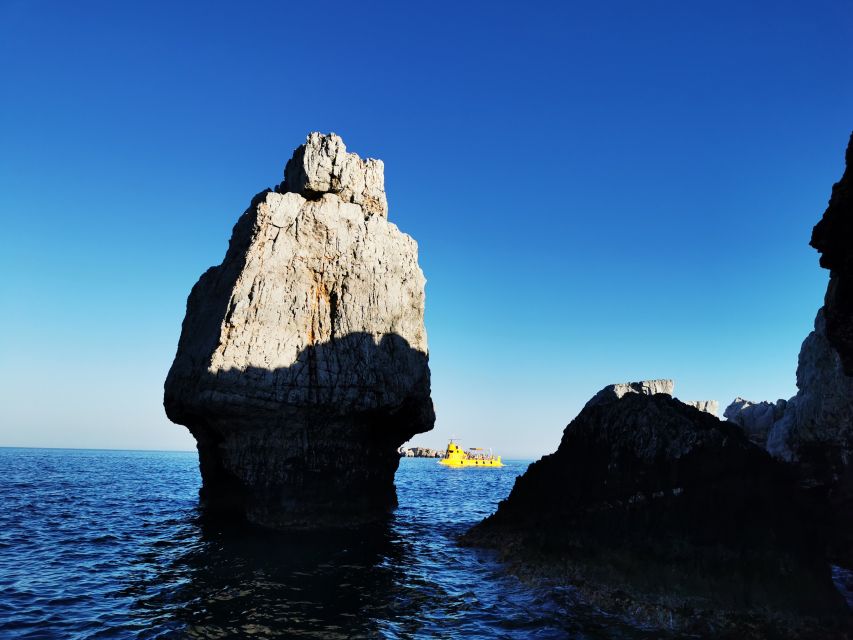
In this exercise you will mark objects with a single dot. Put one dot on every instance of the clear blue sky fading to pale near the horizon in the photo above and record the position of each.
(601, 192)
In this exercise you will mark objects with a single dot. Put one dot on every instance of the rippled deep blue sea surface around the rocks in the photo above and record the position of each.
(110, 544)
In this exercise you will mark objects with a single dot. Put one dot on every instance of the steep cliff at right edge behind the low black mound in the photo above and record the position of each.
(813, 431)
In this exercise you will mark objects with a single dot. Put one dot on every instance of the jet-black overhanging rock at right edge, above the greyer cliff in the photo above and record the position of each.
(833, 238)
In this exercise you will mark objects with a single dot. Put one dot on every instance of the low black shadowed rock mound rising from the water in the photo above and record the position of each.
(651, 506)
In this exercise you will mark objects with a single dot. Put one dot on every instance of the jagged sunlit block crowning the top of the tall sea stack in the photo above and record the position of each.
(322, 165)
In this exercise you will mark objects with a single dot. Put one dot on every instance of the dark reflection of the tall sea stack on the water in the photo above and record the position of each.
(242, 581)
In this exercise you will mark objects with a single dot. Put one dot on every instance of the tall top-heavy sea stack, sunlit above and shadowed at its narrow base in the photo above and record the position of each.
(302, 362)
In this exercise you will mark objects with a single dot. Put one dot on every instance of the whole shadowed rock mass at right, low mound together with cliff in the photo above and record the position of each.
(719, 528)
